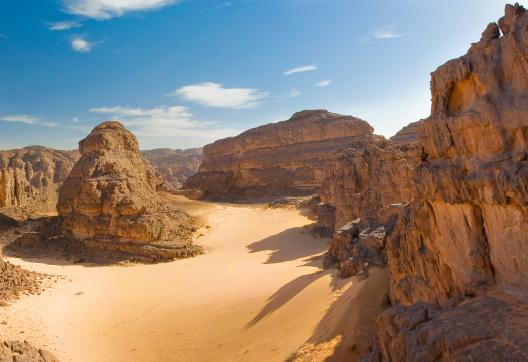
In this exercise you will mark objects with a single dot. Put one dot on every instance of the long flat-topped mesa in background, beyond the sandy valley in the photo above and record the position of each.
(284, 158)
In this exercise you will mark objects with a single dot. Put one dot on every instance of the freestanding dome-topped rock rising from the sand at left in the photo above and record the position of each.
(109, 201)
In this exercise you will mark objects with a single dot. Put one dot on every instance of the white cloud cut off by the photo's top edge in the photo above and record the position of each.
(107, 9)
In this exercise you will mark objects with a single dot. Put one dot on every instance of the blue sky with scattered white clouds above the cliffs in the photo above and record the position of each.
(184, 73)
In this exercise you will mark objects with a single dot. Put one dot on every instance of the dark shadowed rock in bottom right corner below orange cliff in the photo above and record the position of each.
(485, 328)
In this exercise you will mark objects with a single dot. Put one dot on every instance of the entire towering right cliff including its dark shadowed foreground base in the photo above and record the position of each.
(464, 236)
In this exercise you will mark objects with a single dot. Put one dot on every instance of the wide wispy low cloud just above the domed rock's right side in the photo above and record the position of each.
(167, 126)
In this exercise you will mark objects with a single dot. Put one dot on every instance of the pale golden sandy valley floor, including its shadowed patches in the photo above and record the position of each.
(258, 294)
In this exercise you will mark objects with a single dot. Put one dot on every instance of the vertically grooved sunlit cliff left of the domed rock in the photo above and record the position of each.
(30, 178)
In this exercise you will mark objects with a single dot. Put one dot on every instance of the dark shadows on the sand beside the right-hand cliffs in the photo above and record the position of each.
(346, 329)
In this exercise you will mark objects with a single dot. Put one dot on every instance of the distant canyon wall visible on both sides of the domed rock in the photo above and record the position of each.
(30, 177)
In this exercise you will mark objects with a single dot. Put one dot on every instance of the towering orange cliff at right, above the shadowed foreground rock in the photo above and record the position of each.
(467, 229)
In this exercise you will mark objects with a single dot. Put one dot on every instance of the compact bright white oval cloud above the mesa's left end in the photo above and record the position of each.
(215, 95)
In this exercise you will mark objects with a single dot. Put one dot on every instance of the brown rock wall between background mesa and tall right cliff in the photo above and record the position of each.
(363, 194)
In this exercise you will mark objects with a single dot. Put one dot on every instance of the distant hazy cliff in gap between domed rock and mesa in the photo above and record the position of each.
(175, 166)
